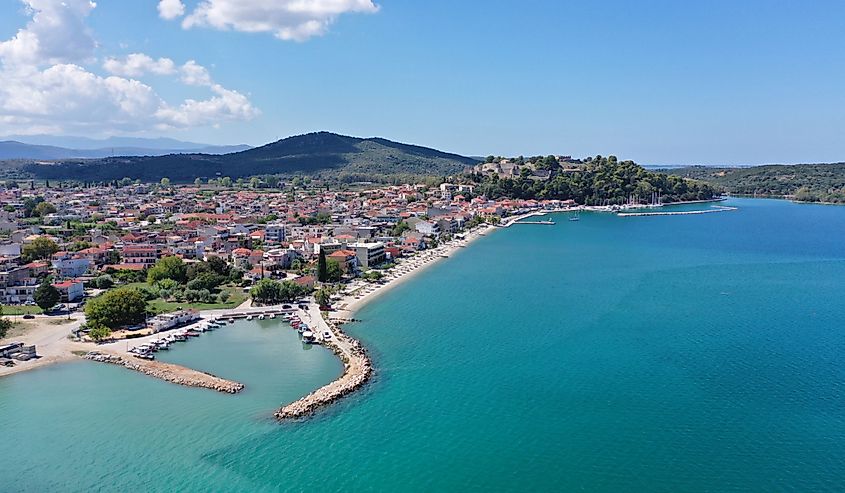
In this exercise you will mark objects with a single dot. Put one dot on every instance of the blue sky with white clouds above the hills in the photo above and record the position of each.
(660, 82)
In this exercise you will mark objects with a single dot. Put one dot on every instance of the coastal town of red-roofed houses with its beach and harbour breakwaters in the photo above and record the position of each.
(66, 247)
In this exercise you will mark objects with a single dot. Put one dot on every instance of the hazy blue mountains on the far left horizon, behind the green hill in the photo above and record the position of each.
(44, 147)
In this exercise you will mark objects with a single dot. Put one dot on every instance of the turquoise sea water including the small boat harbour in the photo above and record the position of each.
(685, 353)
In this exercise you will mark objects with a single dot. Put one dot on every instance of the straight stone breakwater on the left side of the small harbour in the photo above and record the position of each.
(170, 373)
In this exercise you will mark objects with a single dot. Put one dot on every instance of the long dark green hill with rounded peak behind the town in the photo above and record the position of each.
(320, 153)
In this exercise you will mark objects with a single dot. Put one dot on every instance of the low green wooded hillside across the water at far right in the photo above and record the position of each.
(803, 182)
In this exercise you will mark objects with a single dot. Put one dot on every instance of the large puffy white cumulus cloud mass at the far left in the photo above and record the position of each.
(45, 87)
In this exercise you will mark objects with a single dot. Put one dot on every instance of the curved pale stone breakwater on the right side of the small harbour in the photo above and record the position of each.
(357, 371)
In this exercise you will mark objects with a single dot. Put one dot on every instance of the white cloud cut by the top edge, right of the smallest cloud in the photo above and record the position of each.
(295, 20)
